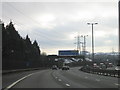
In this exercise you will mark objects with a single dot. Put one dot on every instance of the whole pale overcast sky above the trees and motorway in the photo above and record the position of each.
(56, 24)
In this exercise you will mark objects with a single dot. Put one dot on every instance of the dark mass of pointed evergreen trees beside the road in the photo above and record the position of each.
(17, 52)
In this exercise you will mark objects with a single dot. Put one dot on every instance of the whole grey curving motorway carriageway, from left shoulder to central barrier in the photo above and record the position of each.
(72, 78)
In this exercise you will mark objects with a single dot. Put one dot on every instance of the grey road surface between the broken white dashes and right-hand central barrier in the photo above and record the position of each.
(79, 79)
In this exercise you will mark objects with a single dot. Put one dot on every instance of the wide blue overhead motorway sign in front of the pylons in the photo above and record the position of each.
(68, 52)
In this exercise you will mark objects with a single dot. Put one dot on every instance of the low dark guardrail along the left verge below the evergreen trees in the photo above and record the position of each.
(22, 70)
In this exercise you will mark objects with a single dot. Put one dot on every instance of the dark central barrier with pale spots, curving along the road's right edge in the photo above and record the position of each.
(113, 73)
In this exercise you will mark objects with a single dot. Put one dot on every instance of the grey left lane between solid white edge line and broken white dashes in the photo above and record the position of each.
(42, 79)
